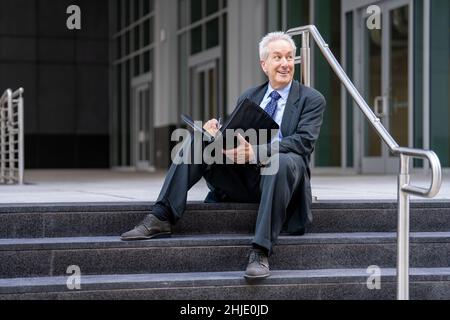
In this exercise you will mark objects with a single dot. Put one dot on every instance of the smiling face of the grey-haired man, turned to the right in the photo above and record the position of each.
(279, 66)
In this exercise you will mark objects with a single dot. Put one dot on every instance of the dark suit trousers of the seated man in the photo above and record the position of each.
(240, 183)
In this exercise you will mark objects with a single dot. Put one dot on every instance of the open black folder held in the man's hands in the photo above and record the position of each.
(247, 115)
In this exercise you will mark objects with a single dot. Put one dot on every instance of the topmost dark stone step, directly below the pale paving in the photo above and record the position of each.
(112, 219)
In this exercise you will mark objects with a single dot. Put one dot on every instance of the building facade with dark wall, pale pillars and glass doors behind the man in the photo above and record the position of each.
(136, 65)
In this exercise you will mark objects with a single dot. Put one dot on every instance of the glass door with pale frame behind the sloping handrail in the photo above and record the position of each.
(385, 71)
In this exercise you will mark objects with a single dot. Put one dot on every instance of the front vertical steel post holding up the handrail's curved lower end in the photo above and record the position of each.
(403, 231)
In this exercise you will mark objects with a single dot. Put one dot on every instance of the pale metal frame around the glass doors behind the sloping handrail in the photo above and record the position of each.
(384, 164)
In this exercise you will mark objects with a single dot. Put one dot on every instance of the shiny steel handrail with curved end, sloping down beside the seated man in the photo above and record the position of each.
(404, 188)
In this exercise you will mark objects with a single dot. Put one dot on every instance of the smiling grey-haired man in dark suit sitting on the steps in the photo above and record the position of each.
(285, 196)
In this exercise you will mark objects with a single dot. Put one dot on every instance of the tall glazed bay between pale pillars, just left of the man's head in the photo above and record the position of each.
(196, 38)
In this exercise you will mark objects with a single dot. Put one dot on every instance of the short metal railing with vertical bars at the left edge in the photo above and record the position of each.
(11, 137)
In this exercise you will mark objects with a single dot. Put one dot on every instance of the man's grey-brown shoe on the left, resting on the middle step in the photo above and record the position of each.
(150, 228)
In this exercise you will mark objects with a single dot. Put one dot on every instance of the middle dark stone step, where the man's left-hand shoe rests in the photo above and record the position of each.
(213, 253)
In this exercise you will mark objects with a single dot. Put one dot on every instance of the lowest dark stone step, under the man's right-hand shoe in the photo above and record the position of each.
(336, 284)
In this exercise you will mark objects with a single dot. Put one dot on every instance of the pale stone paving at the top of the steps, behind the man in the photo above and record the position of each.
(58, 186)
